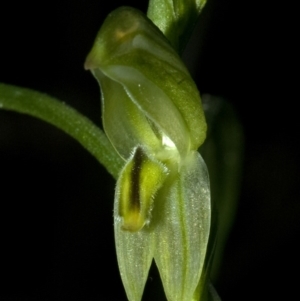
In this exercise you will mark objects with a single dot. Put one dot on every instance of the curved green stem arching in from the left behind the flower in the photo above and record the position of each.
(65, 118)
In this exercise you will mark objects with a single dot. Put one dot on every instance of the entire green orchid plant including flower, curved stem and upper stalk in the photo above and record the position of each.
(181, 143)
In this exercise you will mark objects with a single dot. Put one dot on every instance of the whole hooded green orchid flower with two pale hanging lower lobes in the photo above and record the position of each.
(152, 114)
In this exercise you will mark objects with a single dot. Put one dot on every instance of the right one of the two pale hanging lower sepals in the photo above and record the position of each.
(182, 233)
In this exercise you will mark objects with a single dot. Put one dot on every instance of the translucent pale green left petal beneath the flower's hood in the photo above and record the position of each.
(125, 125)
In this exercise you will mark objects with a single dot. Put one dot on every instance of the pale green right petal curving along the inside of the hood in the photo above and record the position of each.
(153, 103)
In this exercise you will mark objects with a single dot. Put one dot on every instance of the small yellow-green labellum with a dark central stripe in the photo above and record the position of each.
(138, 183)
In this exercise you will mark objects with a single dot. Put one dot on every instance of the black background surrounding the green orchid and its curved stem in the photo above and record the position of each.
(56, 200)
